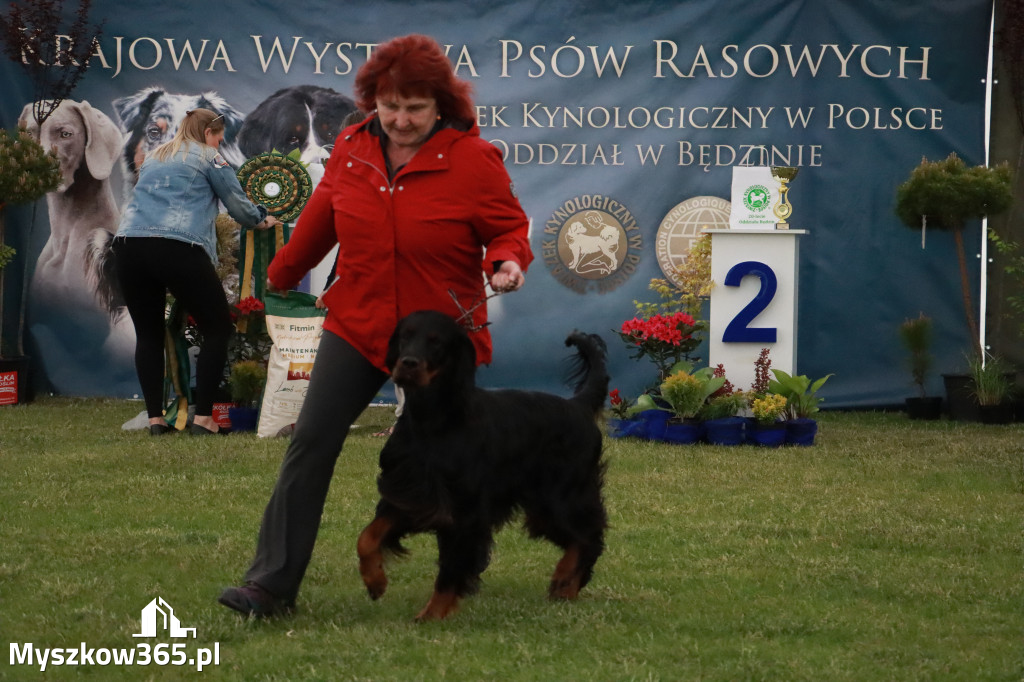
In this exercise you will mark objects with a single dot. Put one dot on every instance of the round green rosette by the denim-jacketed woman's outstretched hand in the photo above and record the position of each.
(279, 183)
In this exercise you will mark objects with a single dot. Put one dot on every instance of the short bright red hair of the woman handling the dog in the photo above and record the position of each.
(414, 66)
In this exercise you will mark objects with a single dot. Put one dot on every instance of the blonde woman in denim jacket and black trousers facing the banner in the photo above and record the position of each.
(167, 241)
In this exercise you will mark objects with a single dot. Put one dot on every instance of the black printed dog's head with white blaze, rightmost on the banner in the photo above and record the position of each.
(308, 118)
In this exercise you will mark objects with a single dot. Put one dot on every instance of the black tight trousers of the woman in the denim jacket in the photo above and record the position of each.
(148, 269)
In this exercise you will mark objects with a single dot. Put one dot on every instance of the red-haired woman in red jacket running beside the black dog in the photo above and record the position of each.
(419, 205)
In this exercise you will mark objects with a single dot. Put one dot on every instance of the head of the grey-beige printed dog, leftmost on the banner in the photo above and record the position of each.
(78, 134)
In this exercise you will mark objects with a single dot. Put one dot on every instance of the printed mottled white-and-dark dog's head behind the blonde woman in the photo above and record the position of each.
(151, 117)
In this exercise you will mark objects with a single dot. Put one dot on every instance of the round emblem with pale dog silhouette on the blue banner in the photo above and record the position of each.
(592, 243)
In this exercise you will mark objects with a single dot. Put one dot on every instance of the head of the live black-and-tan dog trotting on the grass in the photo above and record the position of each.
(430, 349)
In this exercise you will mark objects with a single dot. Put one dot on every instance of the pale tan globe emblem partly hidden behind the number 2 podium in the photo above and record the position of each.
(682, 227)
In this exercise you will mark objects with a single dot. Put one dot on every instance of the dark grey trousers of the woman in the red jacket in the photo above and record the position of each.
(342, 386)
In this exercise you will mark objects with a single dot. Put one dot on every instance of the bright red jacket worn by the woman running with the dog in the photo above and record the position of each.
(405, 245)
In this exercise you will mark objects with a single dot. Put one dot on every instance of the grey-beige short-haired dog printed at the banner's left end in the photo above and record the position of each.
(76, 320)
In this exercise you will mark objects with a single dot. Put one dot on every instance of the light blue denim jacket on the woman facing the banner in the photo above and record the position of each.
(178, 199)
